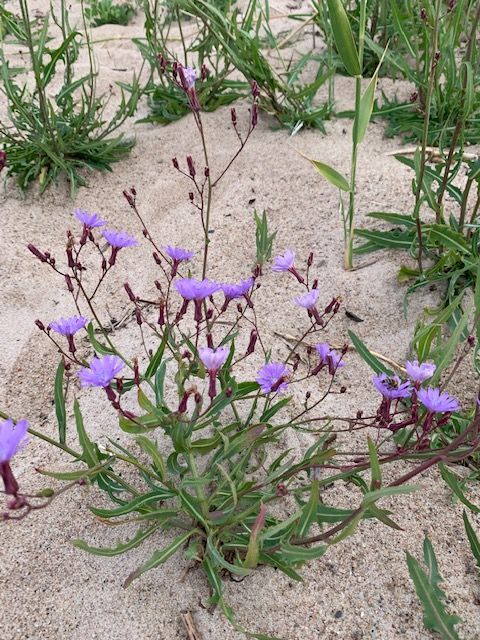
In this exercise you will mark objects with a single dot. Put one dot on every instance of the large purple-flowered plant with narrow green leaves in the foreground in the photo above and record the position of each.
(201, 464)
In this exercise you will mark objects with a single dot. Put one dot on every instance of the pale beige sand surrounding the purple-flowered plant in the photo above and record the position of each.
(361, 589)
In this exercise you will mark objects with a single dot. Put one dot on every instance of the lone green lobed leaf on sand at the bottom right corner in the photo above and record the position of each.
(435, 617)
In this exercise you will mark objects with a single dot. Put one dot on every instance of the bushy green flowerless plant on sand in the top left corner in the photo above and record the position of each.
(47, 137)
